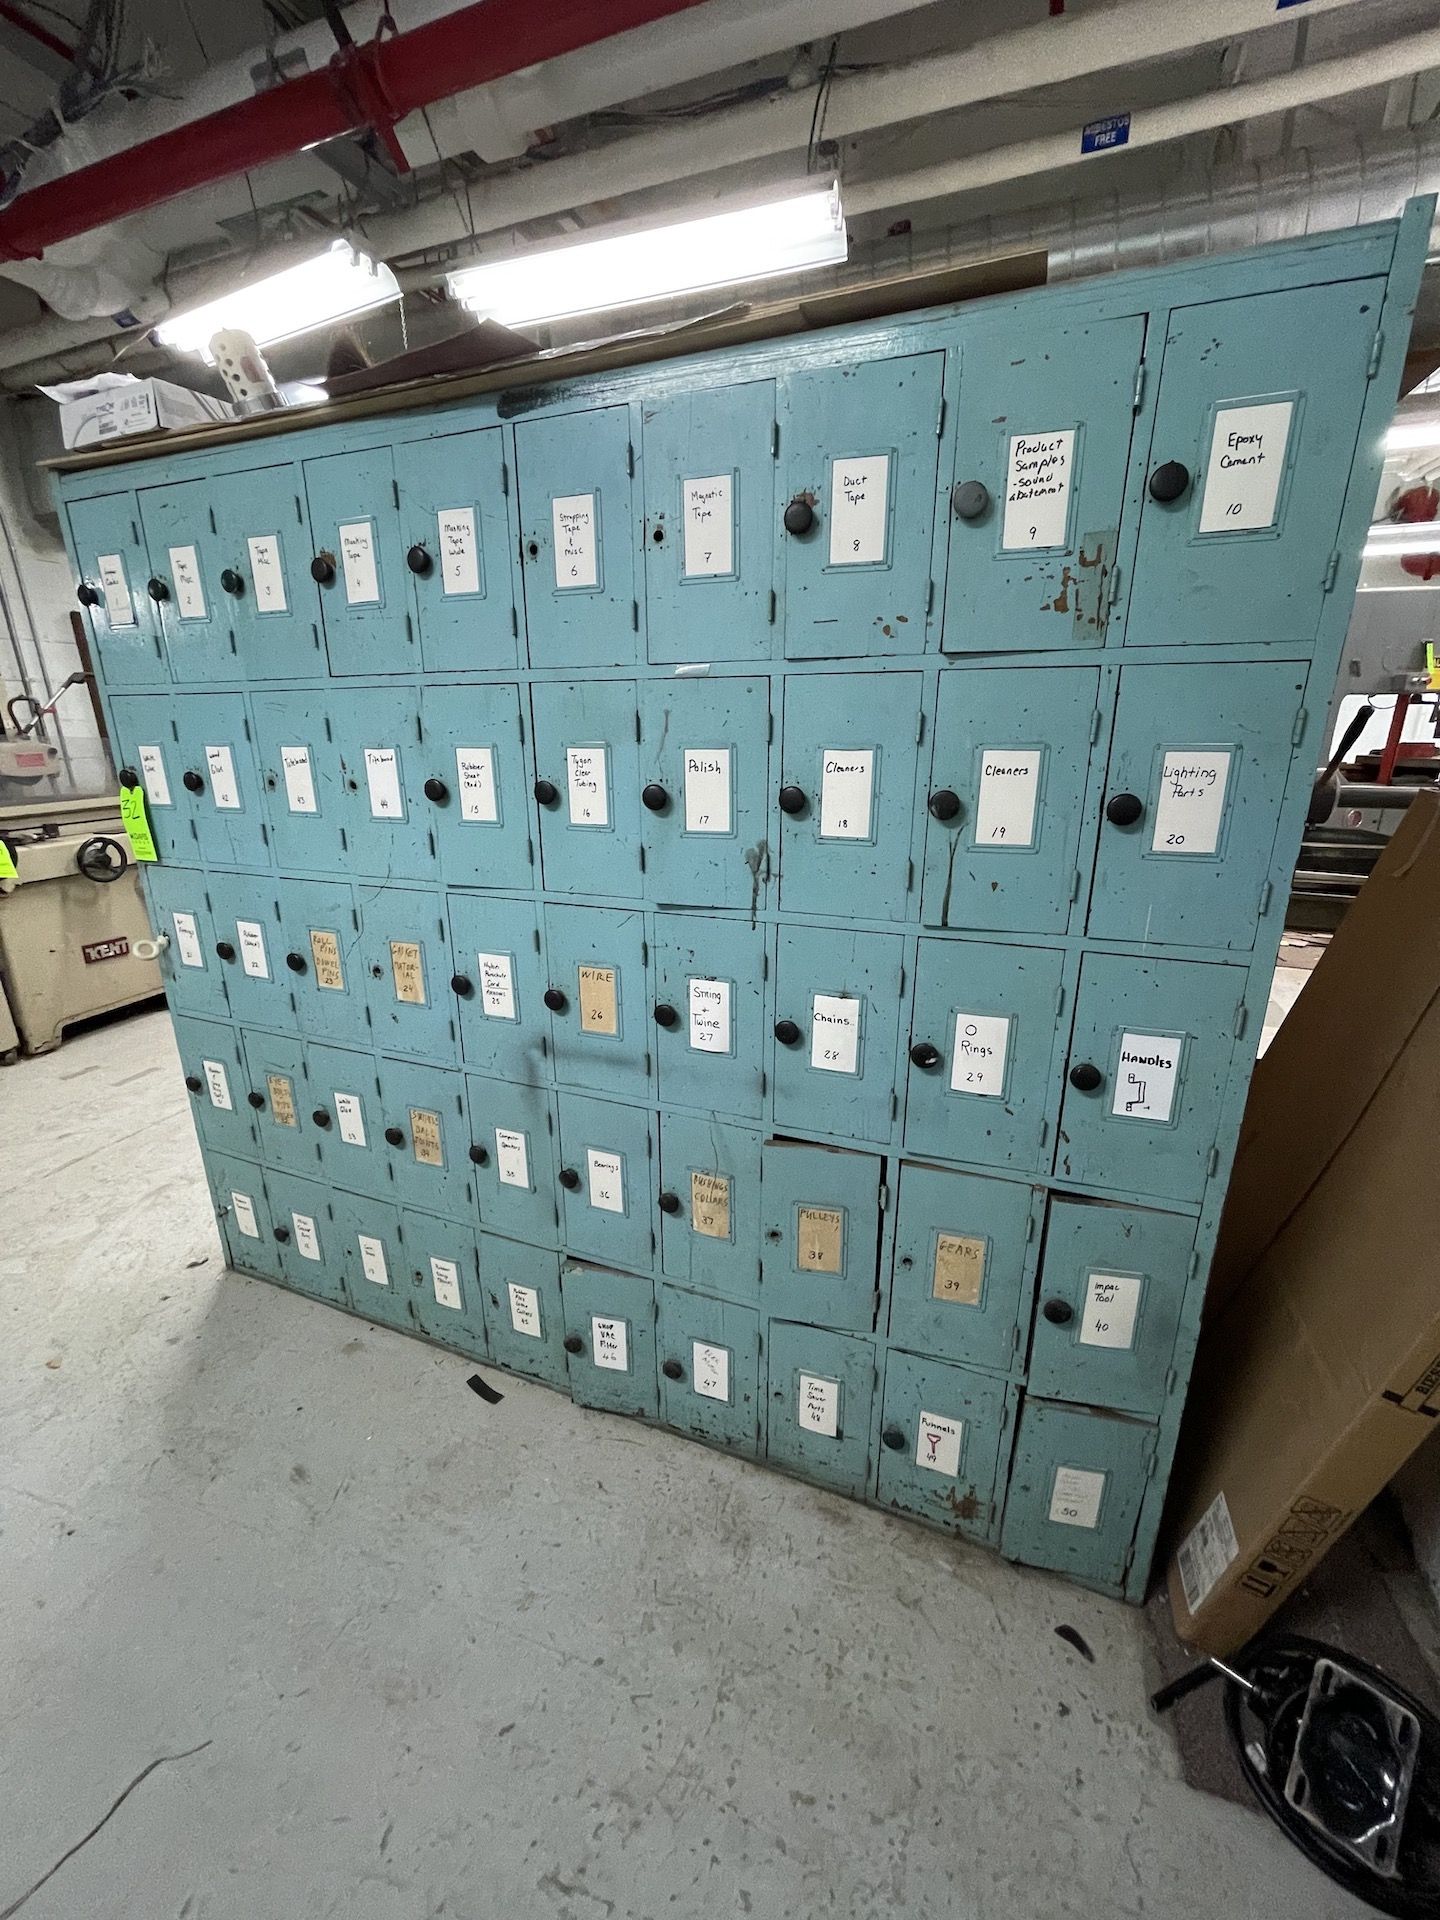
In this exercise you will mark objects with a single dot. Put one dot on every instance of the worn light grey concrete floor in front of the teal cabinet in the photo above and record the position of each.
(448, 1658)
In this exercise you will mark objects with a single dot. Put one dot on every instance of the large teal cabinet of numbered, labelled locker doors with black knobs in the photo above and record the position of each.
(744, 888)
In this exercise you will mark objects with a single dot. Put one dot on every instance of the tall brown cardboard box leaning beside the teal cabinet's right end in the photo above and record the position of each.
(1320, 1368)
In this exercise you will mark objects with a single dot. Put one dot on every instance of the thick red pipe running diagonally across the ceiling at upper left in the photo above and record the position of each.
(372, 85)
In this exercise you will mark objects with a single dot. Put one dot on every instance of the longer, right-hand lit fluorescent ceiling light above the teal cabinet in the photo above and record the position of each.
(625, 270)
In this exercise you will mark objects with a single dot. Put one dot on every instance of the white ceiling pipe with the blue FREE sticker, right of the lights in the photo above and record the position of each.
(1328, 80)
